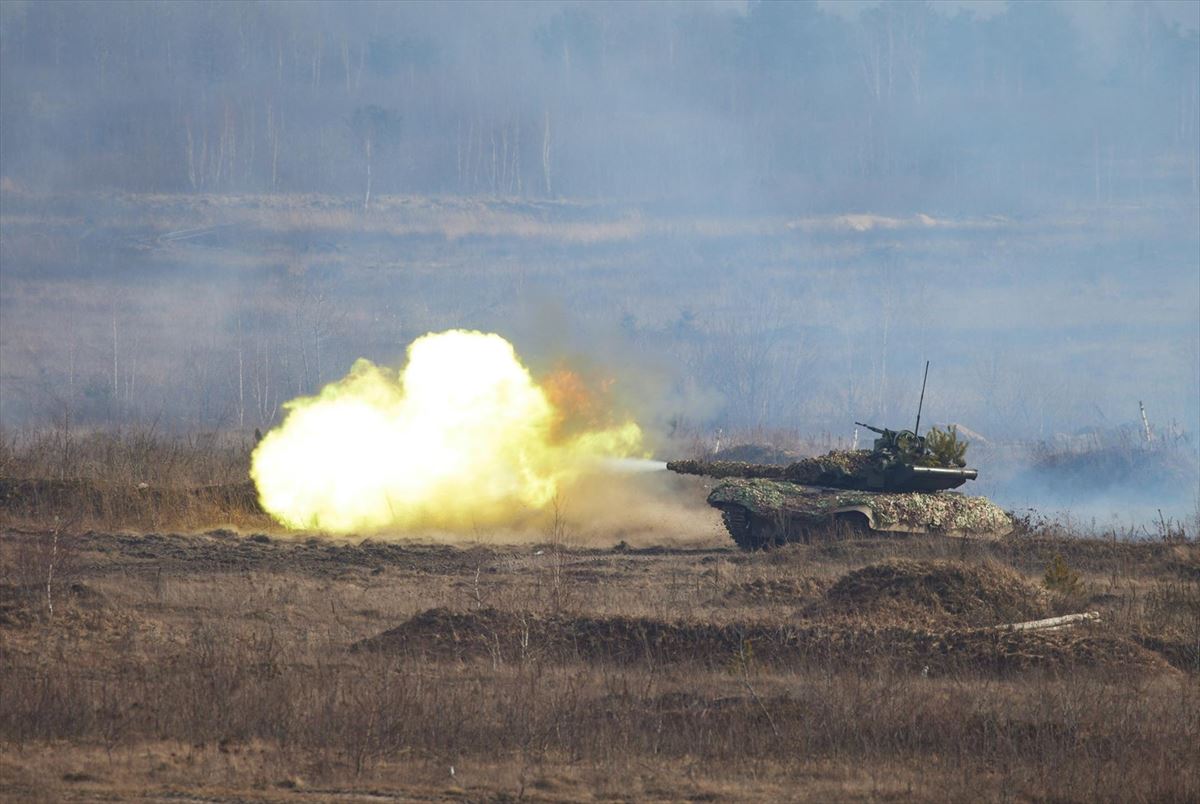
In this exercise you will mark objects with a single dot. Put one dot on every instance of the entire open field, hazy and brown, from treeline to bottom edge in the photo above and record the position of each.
(185, 649)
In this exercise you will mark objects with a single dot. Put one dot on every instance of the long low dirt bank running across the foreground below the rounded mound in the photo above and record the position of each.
(520, 637)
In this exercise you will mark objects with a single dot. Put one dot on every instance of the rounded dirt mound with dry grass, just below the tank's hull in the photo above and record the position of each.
(940, 591)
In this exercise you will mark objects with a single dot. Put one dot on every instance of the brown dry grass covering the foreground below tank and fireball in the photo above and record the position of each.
(142, 661)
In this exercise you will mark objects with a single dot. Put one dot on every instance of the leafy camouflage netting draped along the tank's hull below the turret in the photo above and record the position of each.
(941, 513)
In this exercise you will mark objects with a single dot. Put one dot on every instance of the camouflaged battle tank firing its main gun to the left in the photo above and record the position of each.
(901, 487)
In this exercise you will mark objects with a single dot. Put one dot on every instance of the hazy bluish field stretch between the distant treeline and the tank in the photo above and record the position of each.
(212, 311)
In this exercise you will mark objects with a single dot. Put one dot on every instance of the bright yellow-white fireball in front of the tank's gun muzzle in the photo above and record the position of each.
(461, 437)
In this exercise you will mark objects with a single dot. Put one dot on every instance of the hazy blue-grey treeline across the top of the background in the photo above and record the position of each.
(779, 104)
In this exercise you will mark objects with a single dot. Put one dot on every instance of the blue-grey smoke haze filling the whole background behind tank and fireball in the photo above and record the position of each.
(751, 217)
